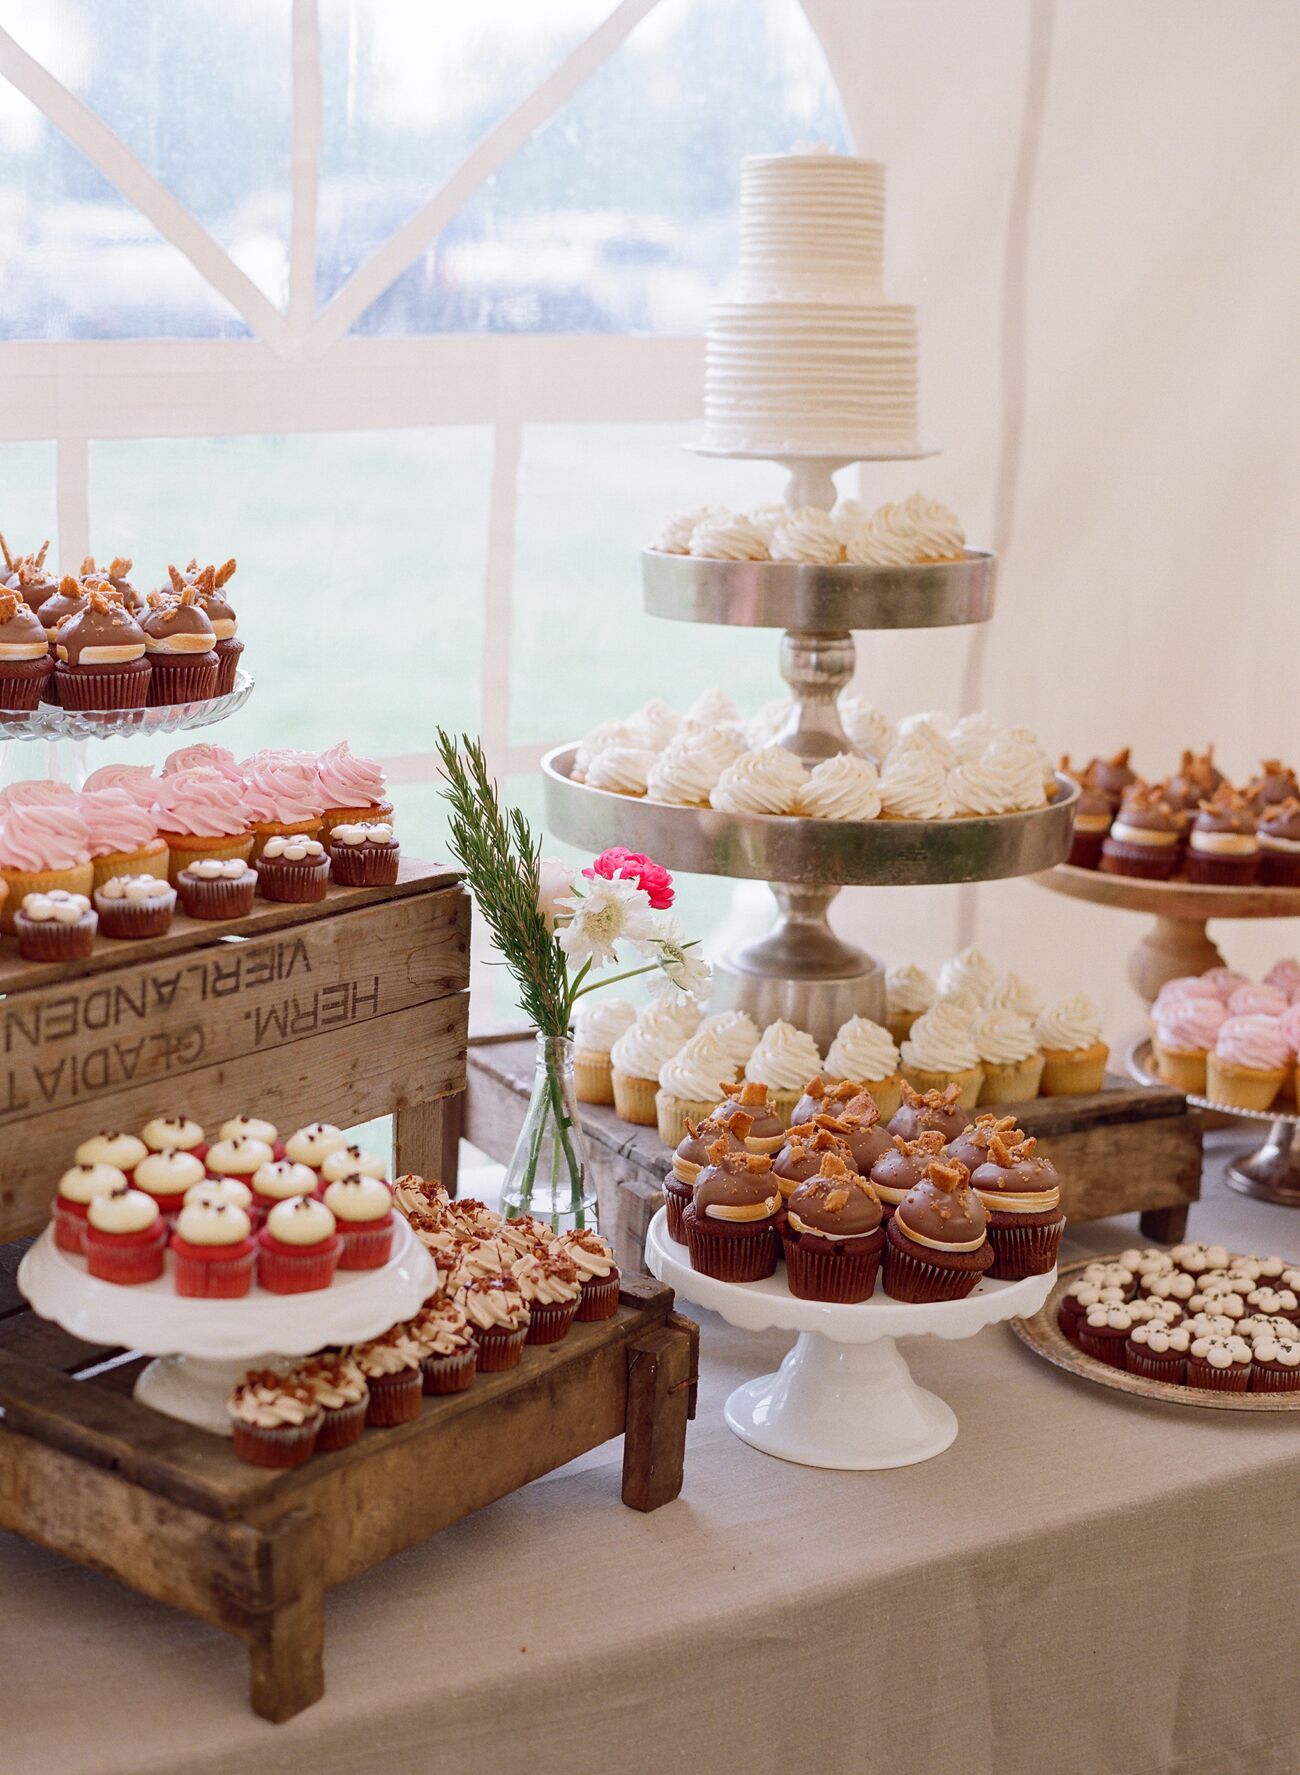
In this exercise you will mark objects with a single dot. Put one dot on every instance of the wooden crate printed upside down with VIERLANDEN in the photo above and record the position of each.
(347, 1009)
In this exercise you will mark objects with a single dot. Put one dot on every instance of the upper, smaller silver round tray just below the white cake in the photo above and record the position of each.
(820, 599)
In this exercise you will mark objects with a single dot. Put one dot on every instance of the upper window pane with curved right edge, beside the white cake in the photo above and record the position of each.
(621, 214)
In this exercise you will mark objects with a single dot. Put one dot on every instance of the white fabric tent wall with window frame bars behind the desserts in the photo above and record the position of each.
(1093, 205)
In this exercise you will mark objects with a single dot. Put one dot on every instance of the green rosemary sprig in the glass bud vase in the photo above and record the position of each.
(502, 856)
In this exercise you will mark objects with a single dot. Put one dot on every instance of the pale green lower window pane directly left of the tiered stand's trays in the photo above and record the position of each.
(591, 498)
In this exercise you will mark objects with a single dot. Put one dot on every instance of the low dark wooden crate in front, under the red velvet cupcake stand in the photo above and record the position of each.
(170, 1511)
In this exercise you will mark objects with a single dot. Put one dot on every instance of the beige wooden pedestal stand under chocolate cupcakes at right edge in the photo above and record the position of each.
(1178, 942)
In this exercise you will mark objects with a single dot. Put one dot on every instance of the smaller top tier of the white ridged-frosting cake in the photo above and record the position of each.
(812, 228)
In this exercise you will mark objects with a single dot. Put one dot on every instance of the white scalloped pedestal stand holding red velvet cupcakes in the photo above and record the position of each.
(203, 1348)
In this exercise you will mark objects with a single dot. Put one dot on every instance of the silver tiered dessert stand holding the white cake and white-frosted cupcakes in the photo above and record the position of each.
(802, 970)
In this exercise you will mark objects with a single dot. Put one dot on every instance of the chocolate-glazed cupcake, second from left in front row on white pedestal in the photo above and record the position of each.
(834, 1236)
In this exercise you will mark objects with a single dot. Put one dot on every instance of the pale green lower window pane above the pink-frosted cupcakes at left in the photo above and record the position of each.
(361, 562)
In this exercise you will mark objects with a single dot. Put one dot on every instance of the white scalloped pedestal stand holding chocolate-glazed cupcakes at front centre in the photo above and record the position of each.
(844, 1396)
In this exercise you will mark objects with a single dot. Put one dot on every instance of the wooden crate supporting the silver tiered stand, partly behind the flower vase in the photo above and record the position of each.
(1123, 1149)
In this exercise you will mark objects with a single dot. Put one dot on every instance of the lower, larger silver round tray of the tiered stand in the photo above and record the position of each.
(812, 853)
